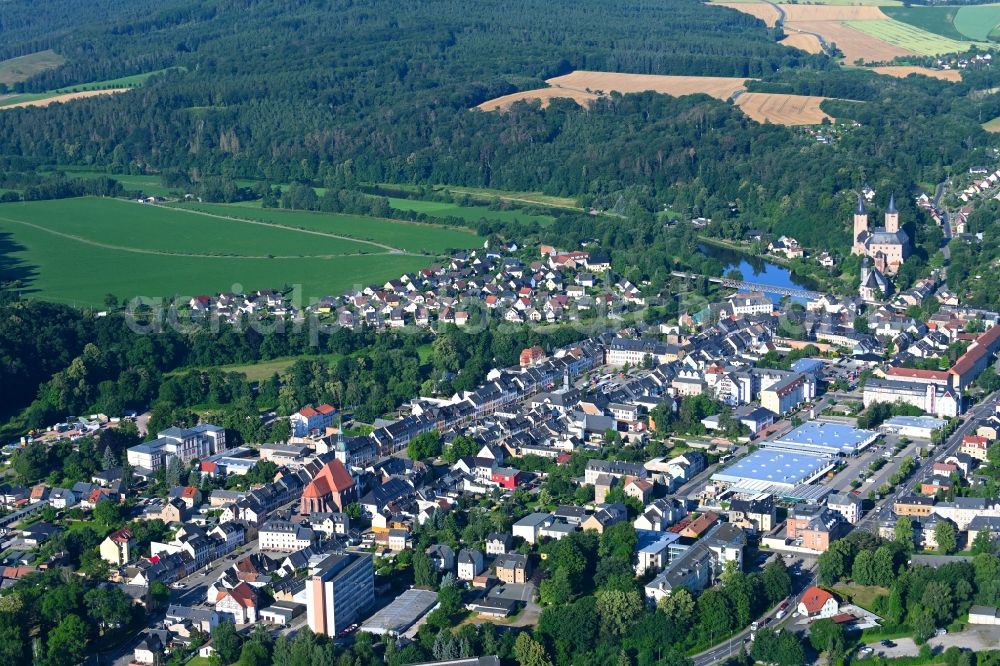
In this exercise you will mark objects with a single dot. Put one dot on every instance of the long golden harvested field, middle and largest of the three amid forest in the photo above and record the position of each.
(720, 87)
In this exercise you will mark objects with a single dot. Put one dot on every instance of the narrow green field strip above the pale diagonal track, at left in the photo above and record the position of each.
(409, 236)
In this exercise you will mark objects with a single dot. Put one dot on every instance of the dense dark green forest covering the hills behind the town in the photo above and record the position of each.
(388, 101)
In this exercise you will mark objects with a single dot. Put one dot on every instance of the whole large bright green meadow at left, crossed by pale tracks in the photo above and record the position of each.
(77, 250)
